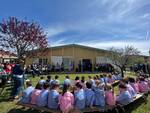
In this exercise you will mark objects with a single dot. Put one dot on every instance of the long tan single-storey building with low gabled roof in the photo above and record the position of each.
(72, 57)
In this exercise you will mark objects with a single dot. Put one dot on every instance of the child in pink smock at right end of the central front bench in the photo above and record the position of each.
(109, 95)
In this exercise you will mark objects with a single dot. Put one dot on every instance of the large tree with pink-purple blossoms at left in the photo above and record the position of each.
(21, 36)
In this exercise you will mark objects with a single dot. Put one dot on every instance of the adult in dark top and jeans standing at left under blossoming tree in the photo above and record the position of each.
(17, 76)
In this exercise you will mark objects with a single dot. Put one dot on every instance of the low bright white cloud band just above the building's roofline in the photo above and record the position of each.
(142, 46)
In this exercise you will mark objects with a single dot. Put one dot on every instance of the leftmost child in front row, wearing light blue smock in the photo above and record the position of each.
(26, 96)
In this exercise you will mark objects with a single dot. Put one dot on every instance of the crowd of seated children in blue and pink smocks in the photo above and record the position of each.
(78, 94)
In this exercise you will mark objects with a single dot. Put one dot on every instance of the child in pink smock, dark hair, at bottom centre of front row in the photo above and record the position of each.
(66, 100)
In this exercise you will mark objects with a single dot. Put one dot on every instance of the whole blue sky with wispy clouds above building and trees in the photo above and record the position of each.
(96, 23)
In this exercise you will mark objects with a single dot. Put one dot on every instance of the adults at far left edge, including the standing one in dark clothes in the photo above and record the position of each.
(13, 73)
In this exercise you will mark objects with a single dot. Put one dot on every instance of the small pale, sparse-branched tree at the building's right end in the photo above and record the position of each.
(122, 57)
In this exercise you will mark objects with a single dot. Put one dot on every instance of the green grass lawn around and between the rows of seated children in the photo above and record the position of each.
(7, 106)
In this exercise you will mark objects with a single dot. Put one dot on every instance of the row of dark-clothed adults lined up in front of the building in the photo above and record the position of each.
(37, 69)
